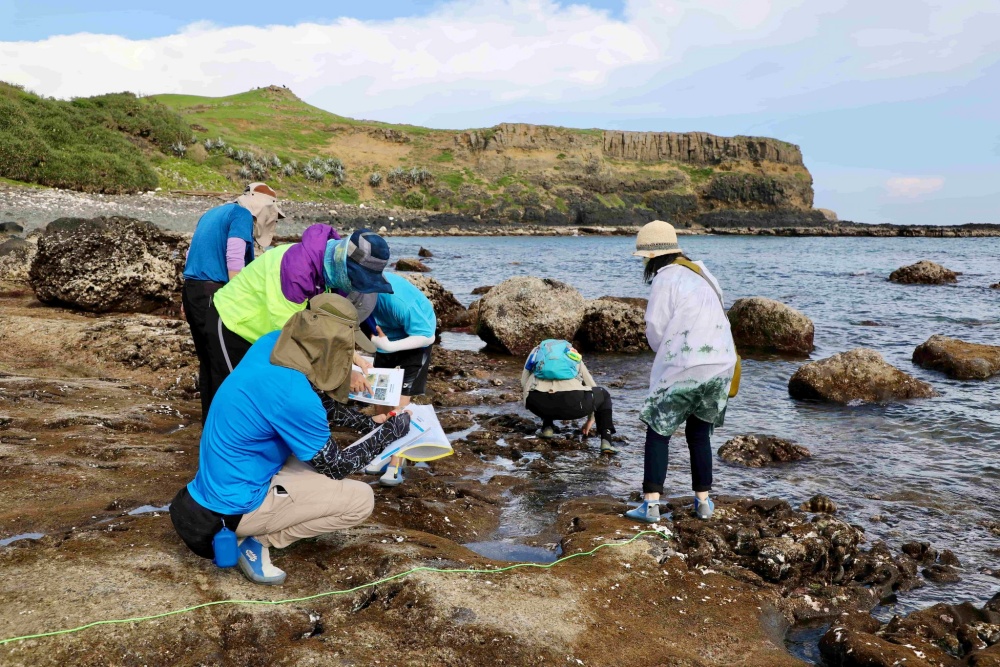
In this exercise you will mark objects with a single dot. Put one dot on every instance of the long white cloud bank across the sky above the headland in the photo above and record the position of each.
(460, 64)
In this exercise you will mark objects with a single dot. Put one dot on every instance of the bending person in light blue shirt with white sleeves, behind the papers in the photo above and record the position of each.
(405, 328)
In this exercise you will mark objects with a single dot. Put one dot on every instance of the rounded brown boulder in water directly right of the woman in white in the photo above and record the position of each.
(765, 325)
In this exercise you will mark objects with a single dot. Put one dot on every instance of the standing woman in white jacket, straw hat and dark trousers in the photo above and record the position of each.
(687, 327)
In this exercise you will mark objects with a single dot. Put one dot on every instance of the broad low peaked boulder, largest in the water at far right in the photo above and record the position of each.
(859, 375)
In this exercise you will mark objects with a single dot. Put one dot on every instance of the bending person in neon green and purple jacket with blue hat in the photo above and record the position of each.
(262, 297)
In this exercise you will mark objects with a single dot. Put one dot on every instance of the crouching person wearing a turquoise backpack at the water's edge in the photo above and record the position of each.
(557, 385)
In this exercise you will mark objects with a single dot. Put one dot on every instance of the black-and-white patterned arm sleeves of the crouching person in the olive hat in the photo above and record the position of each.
(338, 463)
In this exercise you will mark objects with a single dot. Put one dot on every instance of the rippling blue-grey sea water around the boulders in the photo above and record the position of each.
(925, 470)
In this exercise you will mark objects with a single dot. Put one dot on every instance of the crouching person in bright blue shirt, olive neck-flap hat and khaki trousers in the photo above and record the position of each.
(269, 468)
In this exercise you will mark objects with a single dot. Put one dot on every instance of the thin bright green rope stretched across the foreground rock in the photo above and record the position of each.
(377, 582)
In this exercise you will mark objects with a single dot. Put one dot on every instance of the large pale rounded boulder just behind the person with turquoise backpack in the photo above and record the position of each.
(521, 312)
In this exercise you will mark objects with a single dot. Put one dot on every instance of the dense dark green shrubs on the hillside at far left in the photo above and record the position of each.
(97, 144)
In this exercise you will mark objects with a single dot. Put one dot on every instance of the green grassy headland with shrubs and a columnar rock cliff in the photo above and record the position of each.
(511, 172)
